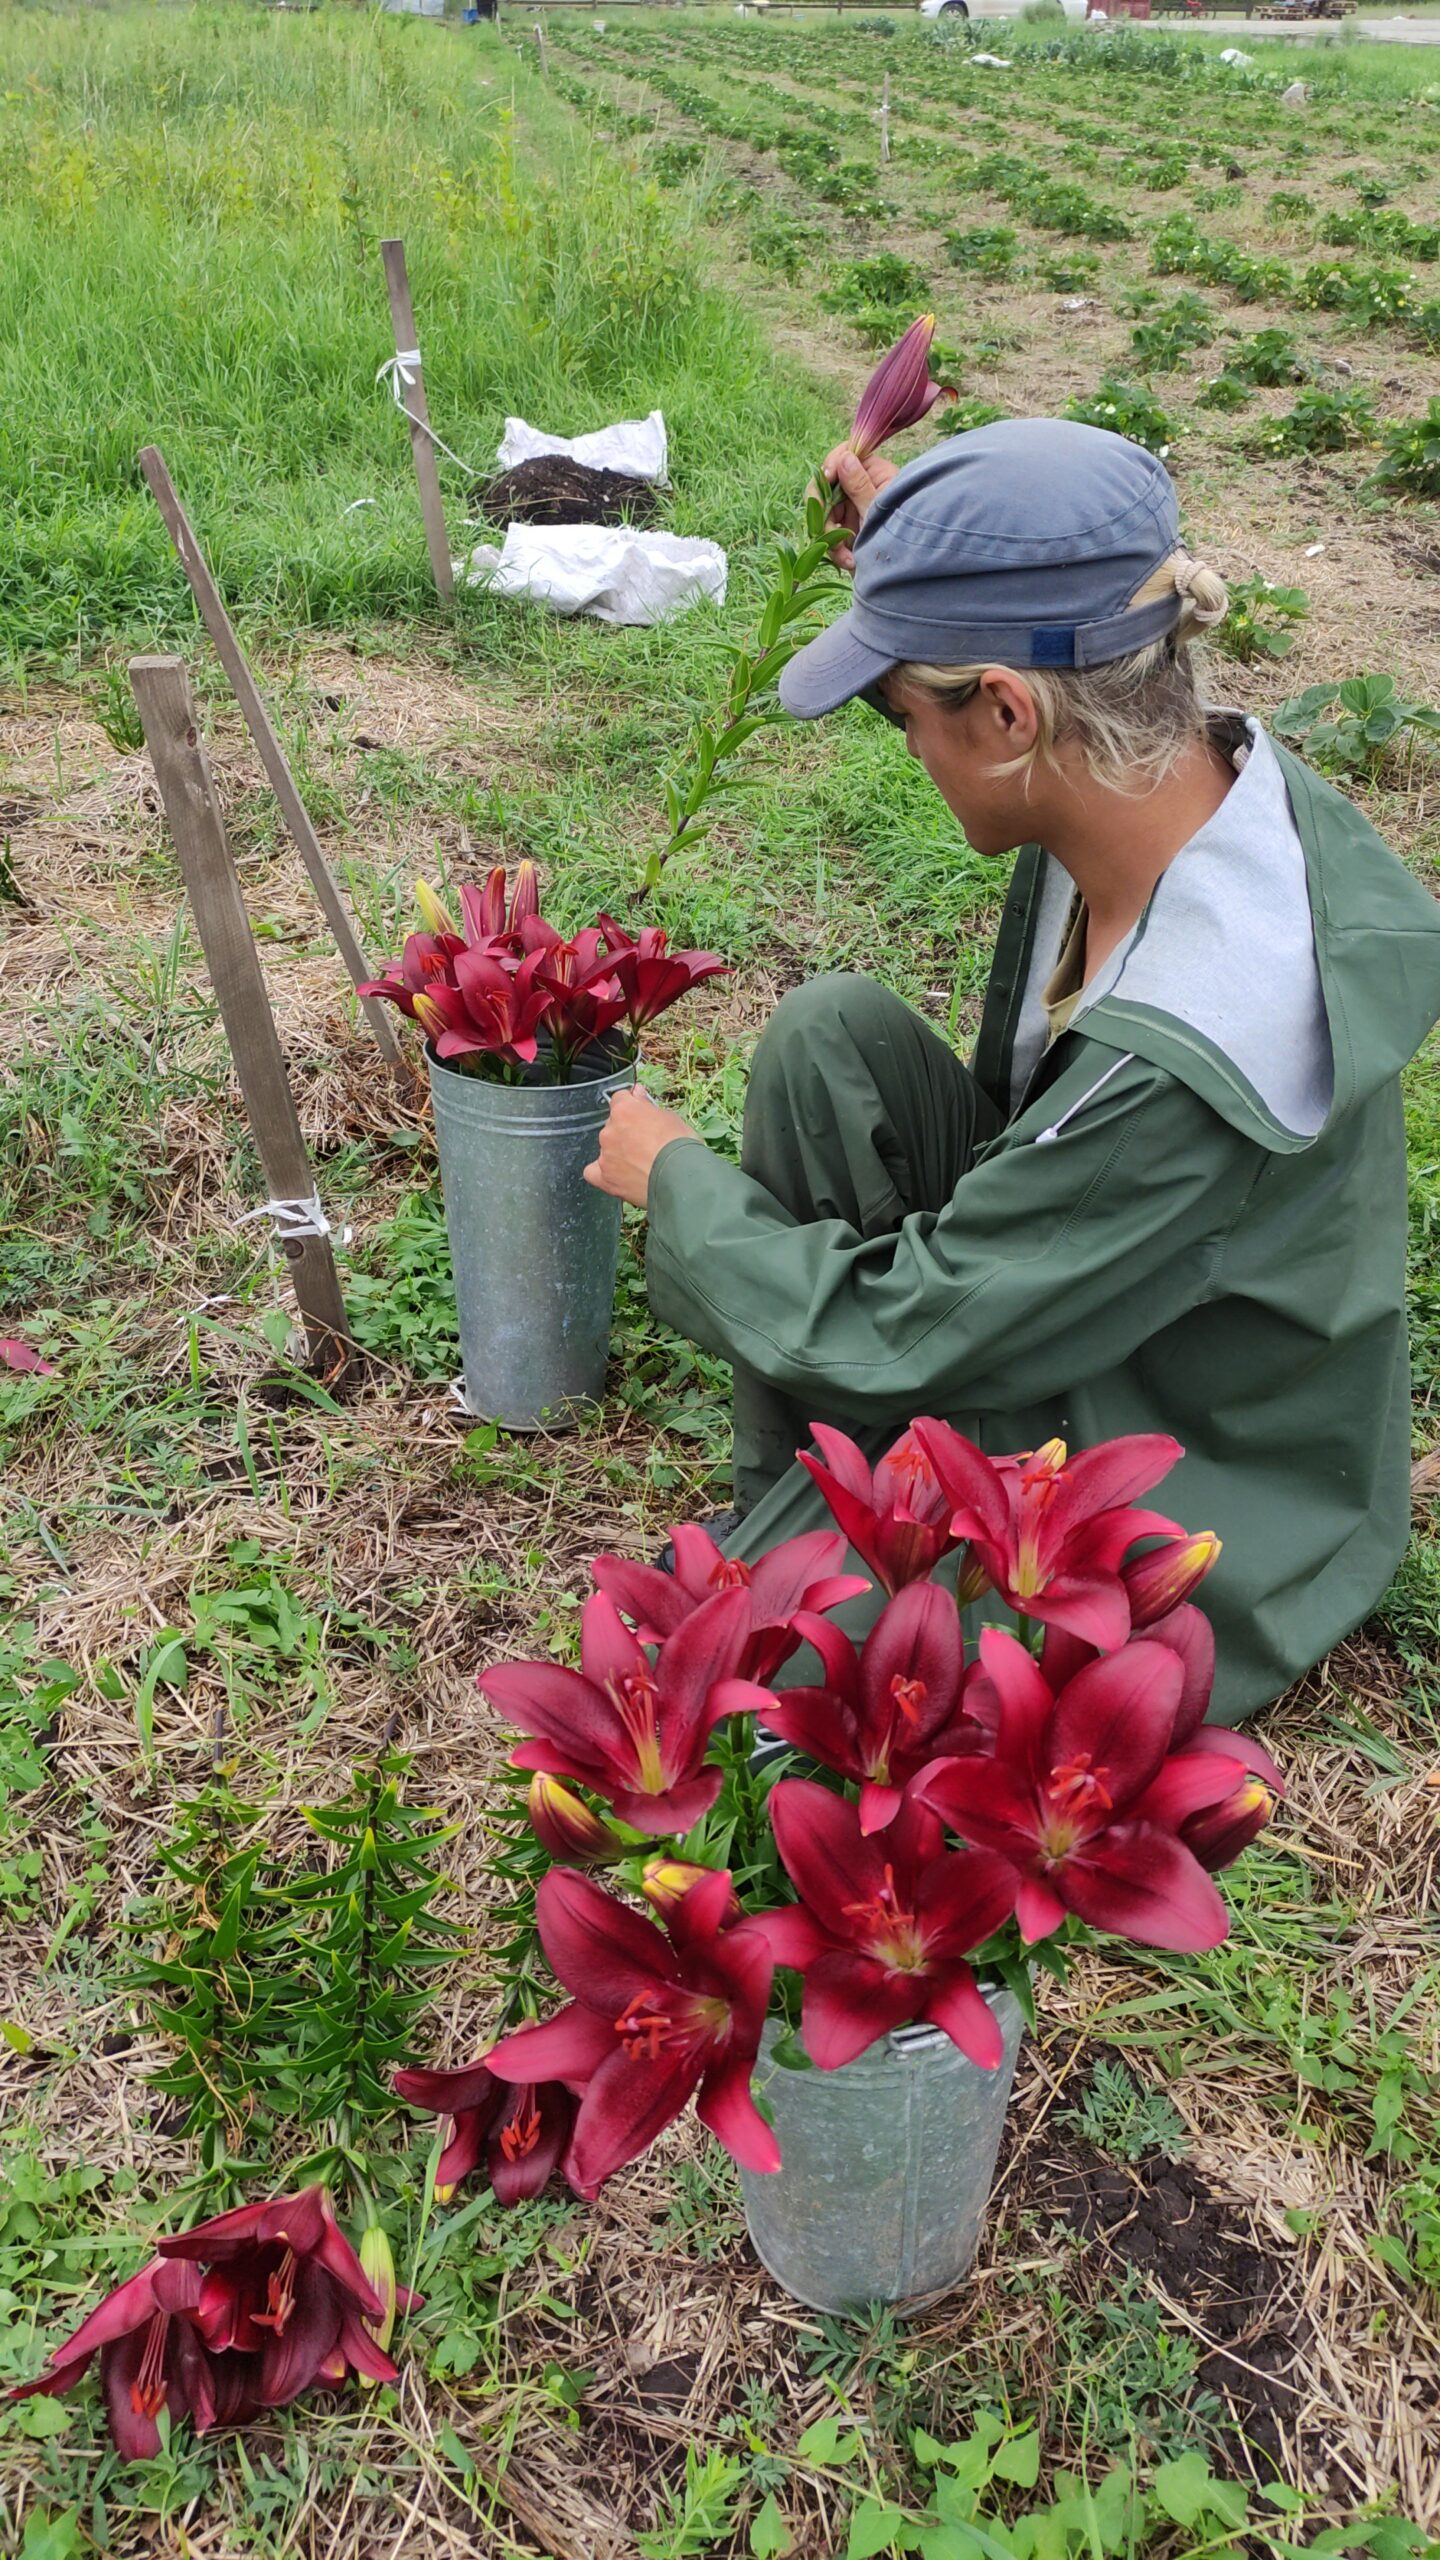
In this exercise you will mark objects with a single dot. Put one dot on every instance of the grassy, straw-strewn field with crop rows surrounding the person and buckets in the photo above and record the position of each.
(245, 1617)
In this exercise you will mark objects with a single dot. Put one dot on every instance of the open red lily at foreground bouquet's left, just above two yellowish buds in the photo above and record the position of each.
(629, 1729)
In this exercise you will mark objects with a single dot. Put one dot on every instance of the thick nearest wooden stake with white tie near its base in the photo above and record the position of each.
(193, 810)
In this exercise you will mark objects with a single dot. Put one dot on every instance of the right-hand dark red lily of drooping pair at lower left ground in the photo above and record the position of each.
(286, 2285)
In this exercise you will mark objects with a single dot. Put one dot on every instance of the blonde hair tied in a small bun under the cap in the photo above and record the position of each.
(1131, 718)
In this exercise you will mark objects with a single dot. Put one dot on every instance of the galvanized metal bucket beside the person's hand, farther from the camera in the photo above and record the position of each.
(534, 1248)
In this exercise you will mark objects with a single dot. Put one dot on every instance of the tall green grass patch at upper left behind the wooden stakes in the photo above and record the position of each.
(191, 206)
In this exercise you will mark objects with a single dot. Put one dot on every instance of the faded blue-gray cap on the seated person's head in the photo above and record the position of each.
(1016, 544)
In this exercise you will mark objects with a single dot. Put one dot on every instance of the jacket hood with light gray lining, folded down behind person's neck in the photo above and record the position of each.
(1288, 964)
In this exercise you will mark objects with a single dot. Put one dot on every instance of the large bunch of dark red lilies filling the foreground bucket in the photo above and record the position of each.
(929, 1814)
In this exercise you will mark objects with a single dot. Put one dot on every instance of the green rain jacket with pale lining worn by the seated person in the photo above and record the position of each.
(1193, 1222)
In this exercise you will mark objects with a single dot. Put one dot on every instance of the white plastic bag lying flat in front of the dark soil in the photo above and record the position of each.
(614, 572)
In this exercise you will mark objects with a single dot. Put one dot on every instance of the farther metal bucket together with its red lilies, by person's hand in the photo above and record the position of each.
(529, 1036)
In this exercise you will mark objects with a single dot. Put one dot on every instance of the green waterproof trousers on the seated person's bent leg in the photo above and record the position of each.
(860, 1112)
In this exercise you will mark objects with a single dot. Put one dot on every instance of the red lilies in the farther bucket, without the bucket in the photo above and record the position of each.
(511, 997)
